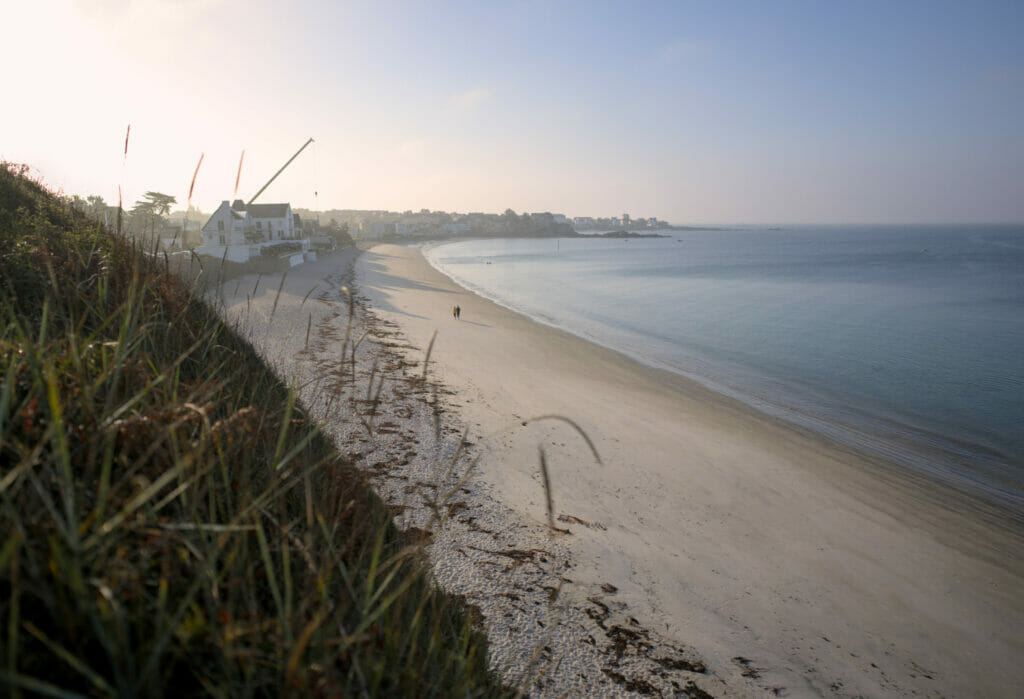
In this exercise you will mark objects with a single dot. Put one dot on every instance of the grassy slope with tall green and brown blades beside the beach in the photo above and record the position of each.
(170, 521)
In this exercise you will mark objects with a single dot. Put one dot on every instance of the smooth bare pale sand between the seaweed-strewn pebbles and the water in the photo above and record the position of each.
(856, 543)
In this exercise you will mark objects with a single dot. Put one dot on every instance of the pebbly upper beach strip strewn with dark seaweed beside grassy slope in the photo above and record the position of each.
(513, 573)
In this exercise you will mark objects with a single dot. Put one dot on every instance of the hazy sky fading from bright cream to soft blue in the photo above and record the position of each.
(826, 112)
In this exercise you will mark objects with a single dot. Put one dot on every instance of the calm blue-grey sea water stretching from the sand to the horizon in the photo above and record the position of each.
(907, 342)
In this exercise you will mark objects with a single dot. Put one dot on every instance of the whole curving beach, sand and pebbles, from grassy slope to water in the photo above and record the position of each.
(712, 549)
